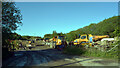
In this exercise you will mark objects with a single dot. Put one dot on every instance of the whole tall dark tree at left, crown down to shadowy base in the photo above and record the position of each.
(11, 20)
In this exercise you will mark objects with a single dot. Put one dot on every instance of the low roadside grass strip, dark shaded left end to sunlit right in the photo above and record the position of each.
(91, 52)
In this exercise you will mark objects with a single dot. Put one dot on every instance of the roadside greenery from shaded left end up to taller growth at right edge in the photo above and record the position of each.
(95, 52)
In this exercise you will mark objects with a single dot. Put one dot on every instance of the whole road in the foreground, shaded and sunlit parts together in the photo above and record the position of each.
(45, 56)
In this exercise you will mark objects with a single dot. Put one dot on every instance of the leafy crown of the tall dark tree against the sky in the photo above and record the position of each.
(11, 17)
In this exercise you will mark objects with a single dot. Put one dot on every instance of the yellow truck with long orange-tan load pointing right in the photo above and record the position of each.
(88, 39)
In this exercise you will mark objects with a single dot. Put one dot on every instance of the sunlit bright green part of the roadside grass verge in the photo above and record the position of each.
(93, 52)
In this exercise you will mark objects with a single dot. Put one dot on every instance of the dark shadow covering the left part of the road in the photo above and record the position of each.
(34, 58)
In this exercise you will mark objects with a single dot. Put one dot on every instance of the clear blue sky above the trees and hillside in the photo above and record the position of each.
(40, 18)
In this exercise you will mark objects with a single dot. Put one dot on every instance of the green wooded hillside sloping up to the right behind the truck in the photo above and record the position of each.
(106, 27)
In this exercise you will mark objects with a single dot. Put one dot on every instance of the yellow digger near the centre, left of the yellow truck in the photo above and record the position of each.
(59, 42)
